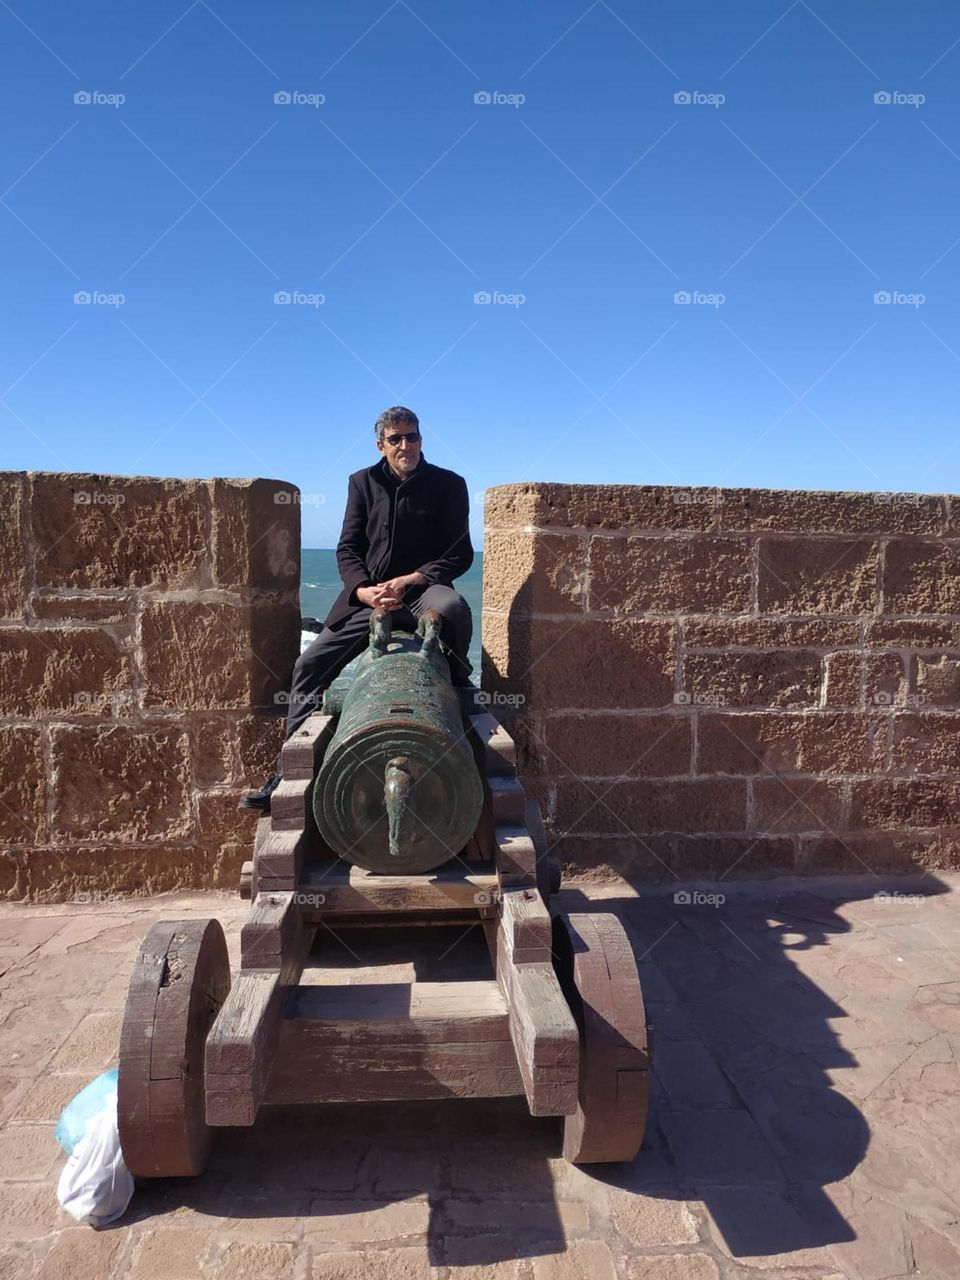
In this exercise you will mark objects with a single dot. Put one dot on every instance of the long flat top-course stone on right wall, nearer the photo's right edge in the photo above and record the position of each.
(824, 513)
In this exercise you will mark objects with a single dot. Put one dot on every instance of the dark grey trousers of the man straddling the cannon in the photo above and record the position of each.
(322, 664)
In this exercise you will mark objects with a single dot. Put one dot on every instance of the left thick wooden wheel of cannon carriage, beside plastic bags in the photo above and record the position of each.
(180, 981)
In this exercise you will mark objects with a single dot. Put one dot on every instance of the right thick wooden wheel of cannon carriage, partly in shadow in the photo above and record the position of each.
(598, 975)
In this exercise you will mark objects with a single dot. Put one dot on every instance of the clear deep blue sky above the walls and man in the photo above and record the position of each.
(583, 198)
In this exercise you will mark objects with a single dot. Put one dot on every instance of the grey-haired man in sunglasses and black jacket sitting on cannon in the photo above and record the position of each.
(405, 540)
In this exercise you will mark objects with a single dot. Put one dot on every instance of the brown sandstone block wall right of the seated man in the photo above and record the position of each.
(714, 682)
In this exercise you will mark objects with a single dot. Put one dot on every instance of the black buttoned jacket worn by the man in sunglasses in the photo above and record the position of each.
(392, 528)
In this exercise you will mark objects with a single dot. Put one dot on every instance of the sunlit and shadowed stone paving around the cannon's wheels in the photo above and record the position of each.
(806, 1119)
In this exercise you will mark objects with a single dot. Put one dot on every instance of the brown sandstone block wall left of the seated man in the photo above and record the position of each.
(147, 628)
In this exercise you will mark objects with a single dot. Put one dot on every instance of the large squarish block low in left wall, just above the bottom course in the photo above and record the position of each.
(120, 783)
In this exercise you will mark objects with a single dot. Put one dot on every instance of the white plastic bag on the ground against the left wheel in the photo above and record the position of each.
(95, 1186)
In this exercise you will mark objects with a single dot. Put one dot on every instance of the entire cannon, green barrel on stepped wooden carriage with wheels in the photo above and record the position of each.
(554, 1014)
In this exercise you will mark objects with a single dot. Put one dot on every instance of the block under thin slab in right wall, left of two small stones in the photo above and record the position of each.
(774, 679)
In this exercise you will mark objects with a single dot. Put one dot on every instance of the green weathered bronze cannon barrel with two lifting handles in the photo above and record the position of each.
(399, 790)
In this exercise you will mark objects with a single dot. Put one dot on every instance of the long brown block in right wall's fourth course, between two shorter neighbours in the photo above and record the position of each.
(790, 743)
